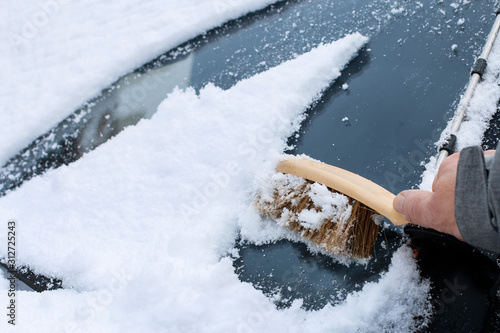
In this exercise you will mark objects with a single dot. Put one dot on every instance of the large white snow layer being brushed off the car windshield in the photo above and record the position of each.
(139, 229)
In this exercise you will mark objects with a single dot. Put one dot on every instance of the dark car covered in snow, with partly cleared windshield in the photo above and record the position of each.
(135, 135)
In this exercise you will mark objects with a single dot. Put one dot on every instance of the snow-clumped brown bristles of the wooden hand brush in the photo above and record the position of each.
(345, 229)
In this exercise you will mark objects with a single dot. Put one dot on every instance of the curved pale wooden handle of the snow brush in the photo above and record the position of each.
(359, 188)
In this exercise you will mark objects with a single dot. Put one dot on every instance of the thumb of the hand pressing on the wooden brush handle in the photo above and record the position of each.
(413, 204)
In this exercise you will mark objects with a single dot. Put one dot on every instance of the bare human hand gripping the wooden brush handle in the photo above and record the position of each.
(434, 209)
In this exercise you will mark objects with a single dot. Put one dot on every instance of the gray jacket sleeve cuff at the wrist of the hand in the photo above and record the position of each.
(477, 198)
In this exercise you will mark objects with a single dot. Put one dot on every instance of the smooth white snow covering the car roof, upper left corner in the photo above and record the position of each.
(58, 54)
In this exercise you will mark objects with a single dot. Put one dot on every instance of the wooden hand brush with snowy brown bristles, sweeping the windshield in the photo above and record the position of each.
(334, 209)
